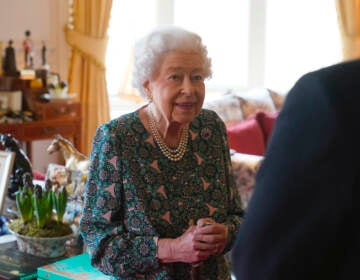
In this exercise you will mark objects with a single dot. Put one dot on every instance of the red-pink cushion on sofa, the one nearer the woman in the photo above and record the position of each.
(246, 137)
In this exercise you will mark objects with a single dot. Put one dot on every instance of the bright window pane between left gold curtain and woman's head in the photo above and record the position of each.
(128, 22)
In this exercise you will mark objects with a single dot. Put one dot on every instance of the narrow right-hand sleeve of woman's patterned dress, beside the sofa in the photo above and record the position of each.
(235, 209)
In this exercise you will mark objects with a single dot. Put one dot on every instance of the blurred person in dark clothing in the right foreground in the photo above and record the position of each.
(302, 220)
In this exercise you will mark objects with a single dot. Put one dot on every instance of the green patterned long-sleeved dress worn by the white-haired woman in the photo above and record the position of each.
(134, 193)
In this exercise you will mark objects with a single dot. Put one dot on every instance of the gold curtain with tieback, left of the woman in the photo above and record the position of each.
(87, 37)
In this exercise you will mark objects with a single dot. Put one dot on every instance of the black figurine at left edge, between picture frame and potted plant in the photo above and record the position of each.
(21, 164)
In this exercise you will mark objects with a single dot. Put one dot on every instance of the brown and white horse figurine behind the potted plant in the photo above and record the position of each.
(74, 160)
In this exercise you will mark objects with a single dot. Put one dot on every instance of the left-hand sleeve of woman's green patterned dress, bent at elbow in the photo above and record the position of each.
(113, 249)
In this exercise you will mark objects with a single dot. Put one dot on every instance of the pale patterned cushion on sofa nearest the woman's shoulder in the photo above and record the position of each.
(227, 106)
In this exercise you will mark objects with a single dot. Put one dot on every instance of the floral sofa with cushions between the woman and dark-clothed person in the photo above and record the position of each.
(249, 117)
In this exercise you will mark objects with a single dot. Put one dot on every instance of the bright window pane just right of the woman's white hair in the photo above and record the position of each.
(223, 25)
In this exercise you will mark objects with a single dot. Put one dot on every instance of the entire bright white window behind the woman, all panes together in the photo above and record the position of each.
(252, 43)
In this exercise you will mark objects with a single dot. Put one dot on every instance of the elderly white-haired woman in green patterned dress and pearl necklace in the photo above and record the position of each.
(160, 200)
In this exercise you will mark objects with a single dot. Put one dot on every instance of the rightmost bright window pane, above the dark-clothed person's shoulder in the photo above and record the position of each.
(301, 36)
